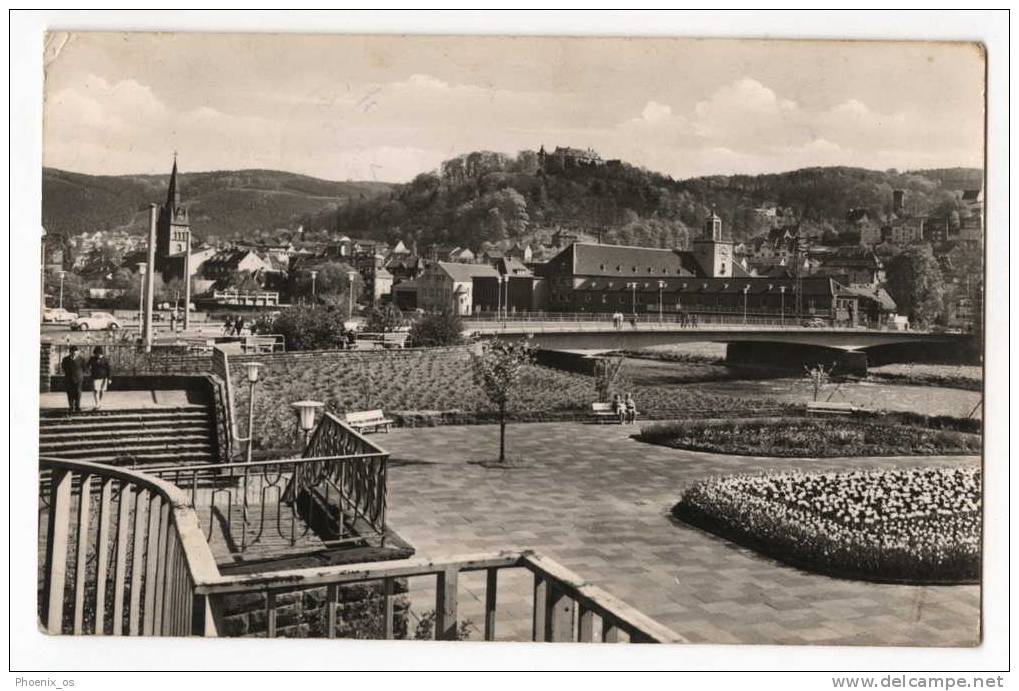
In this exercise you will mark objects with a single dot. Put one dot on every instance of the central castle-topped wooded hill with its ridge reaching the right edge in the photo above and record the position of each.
(489, 197)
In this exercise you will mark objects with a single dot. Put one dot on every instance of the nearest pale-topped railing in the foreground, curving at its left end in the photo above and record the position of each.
(125, 555)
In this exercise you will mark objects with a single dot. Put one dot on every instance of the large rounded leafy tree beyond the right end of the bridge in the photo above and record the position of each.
(917, 285)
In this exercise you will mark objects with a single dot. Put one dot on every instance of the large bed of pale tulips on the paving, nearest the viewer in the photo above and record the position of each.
(918, 525)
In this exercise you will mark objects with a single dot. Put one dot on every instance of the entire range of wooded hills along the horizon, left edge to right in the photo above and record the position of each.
(490, 197)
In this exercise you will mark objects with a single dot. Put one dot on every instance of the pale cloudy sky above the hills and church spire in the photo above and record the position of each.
(389, 109)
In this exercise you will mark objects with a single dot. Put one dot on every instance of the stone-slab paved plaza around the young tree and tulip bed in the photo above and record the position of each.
(599, 502)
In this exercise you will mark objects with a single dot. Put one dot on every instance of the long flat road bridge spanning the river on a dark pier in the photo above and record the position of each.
(748, 343)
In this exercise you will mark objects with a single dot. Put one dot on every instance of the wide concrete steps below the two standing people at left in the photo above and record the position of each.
(166, 435)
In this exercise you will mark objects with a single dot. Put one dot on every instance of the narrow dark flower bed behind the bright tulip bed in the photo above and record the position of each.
(799, 438)
